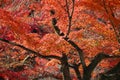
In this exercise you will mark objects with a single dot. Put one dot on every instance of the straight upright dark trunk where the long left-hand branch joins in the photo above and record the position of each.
(65, 68)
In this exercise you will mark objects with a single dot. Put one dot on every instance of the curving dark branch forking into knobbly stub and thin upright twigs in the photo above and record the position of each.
(58, 31)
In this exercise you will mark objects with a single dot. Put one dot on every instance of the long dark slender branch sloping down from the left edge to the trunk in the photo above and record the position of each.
(29, 50)
